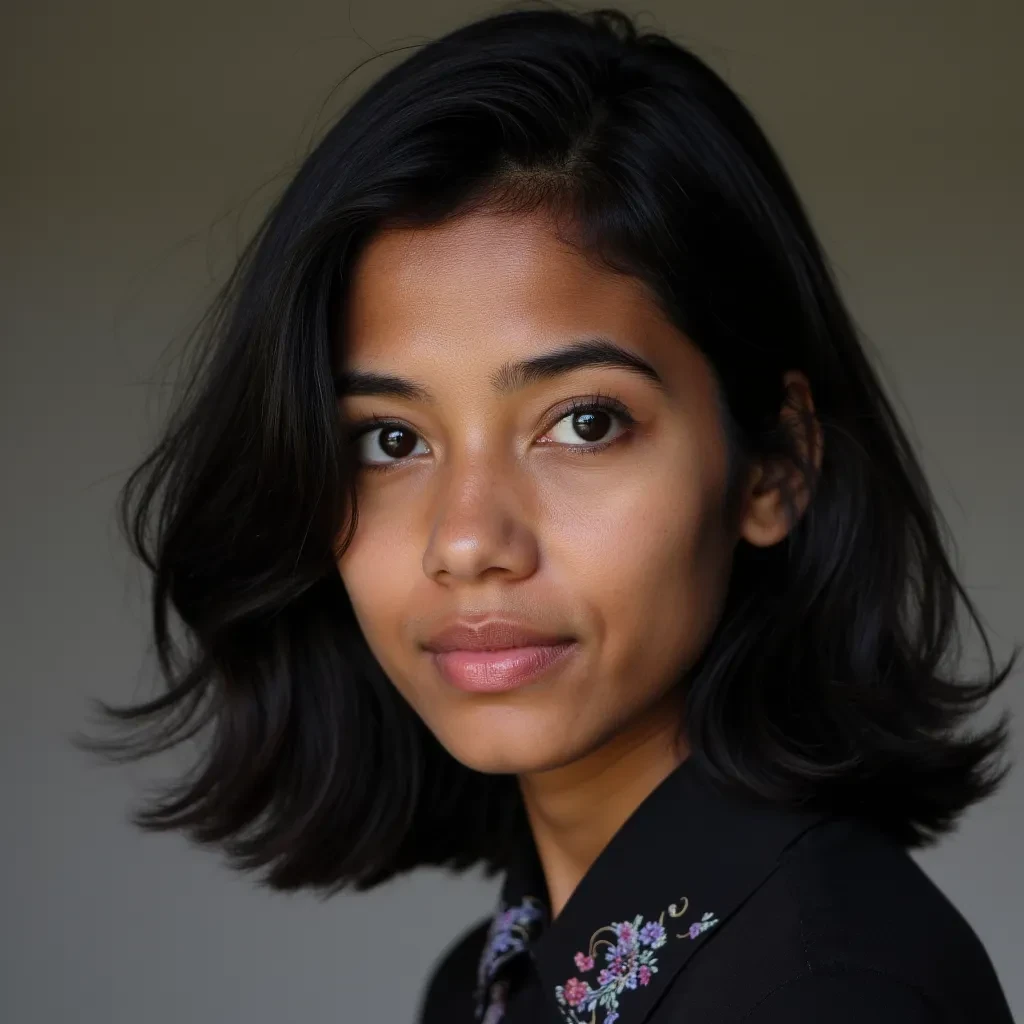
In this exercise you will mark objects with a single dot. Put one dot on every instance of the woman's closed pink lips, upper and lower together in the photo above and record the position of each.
(496, 656)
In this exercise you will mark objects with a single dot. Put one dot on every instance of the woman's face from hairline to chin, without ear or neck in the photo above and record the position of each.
(573, 500)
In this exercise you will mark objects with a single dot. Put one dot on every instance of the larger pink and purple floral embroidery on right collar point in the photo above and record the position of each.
(631, 962)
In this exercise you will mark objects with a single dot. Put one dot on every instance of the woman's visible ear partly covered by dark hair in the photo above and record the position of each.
(779, 493)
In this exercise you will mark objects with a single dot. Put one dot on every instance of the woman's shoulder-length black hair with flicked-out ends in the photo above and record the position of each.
(831, 679)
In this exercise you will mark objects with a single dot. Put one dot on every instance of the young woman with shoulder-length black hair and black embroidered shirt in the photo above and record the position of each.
(536, 506)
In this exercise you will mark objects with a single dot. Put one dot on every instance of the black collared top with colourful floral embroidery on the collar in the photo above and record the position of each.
(709, 909)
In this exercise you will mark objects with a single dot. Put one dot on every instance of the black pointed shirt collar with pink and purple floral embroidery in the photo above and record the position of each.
(666, 883)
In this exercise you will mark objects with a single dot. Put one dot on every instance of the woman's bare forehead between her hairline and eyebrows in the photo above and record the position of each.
(486, 279)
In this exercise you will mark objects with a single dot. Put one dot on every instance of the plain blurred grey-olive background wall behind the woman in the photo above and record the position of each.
(141, 143)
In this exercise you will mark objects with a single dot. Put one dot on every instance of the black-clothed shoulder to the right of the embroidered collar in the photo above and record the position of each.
(846, 923)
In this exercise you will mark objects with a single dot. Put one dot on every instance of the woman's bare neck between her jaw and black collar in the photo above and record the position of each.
(575, 810)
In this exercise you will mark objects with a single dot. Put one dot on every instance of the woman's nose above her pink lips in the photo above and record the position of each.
(479, 528)
